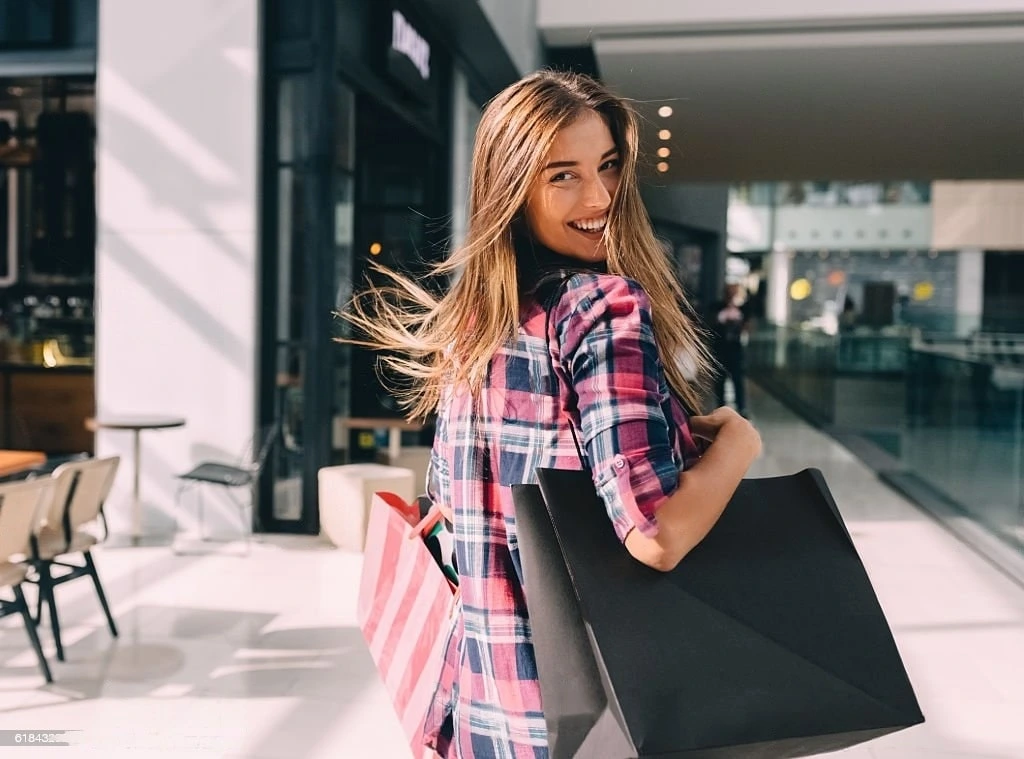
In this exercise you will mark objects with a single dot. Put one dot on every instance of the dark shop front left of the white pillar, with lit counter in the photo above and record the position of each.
(48, 224)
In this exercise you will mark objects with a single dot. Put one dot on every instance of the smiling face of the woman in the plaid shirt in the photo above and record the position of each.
(568, 207)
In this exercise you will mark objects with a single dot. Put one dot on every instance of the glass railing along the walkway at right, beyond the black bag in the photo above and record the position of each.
(949, 409)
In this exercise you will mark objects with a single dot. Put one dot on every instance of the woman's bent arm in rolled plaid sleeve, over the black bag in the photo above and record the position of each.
(609, 351)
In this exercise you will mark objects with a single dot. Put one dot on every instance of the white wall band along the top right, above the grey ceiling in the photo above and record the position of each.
(568, 22)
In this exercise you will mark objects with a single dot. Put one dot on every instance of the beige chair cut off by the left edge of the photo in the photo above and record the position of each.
(21, 505)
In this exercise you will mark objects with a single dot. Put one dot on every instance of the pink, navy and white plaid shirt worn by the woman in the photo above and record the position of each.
(603, 343)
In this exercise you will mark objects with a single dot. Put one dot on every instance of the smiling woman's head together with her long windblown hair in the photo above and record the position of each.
(554, 172)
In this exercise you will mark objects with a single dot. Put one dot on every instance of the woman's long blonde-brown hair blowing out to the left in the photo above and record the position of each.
(437, 341)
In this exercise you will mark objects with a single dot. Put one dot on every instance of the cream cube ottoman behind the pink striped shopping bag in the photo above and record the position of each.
(346, 495)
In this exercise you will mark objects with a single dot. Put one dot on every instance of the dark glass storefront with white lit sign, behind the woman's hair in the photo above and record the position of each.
(358, 168)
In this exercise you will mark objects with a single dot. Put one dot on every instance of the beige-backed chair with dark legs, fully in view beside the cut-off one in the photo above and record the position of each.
(80, 488)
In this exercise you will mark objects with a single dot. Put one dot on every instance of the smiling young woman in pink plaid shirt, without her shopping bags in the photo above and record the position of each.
(557, 225)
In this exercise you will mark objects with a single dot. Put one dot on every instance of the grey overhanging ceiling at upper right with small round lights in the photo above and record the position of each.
(893, 104)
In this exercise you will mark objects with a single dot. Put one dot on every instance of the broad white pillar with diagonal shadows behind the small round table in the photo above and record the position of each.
(178, 121)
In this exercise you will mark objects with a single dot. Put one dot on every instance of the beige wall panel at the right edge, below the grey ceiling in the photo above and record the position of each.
(978, 215)
